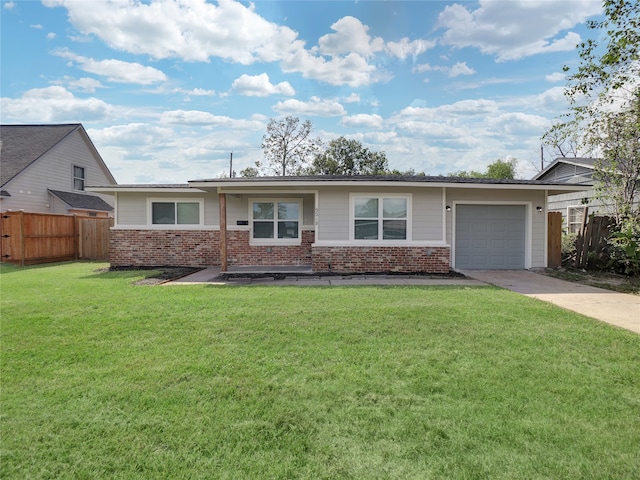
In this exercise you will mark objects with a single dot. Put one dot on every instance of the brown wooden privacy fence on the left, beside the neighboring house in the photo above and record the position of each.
(32, 238)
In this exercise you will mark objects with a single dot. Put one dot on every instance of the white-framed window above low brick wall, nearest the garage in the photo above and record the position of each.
(380, 218)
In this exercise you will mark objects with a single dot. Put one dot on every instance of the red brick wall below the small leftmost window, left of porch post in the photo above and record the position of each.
(155, 248)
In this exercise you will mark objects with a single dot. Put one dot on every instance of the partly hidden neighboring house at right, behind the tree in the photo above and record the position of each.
(578, 171)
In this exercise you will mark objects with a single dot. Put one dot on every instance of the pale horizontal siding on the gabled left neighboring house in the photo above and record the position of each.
(54, 170)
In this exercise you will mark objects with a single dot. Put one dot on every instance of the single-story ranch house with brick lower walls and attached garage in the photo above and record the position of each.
(361, 224)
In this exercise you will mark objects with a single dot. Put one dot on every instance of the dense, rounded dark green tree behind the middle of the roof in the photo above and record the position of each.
(348, 157)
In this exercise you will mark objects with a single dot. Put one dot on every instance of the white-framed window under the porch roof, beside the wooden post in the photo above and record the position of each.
(275, 221)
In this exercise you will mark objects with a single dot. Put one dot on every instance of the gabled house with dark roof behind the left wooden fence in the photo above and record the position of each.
(45, 169)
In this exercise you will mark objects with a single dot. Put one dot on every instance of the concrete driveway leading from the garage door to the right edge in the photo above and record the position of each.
(620, 309)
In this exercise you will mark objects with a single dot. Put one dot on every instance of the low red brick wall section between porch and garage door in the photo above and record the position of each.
(381, 259)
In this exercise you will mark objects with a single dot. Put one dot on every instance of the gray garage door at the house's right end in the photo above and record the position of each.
(490, 237)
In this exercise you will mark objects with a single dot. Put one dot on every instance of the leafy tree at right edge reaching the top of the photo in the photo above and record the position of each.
(604, 99)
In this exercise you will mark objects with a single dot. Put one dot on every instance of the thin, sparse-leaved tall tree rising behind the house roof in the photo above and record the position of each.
(288, 145)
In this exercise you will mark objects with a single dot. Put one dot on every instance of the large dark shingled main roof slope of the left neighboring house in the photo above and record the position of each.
(24, 144)
